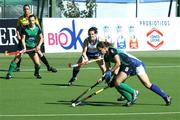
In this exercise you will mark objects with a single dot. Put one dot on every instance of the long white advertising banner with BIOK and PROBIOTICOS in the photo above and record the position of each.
(138, 34)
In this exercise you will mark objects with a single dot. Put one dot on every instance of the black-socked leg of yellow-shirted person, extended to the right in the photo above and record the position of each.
(45, 61)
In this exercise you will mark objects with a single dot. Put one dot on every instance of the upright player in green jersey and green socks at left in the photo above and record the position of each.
(31, 38)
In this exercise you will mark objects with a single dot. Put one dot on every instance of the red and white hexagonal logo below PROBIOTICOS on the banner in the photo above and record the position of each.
(155, 38)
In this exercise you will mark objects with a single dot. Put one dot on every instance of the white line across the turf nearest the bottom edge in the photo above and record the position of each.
(101, 114)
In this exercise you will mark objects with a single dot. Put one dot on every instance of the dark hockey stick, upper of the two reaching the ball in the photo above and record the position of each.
(88, 90)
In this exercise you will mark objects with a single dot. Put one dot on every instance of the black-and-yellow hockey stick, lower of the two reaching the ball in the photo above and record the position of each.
(93, 94)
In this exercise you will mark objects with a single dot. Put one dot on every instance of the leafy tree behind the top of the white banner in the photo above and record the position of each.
(70, 9)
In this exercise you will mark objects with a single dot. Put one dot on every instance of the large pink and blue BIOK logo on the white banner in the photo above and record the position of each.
(62, 38)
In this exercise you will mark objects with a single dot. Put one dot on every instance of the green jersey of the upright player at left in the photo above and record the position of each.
(32, 35)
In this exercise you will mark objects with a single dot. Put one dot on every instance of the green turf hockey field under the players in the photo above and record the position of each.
(26, 98)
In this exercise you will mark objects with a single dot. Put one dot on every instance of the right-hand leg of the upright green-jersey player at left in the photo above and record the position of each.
(36, 61)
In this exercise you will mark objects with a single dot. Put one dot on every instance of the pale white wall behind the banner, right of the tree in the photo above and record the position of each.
(157, 9)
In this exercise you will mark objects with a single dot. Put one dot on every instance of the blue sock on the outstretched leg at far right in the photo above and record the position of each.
(158, 91)
